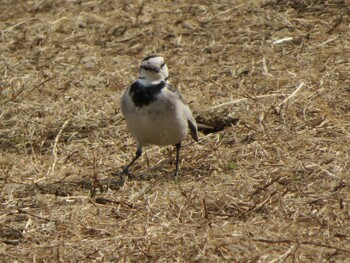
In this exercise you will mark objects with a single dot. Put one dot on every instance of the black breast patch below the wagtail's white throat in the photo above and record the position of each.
(143, 95)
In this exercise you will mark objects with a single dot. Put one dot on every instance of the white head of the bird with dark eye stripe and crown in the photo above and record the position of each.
(154, 69)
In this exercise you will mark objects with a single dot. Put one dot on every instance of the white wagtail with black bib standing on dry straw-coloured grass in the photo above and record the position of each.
(155, 112)
